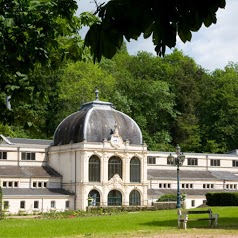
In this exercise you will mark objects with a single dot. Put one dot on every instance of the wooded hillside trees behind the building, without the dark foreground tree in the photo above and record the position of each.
(172, 99)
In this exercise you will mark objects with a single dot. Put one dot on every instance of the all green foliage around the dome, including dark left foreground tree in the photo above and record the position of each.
(172, 99)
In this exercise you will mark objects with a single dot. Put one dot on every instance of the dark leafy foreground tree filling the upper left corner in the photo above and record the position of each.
(35, 34)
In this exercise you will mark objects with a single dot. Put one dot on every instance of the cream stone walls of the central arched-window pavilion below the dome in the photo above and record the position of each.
(72, 161)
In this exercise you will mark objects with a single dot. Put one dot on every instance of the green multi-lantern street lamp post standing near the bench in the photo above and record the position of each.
(177, 161)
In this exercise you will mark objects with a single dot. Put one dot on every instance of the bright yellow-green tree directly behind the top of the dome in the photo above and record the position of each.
(77, 84)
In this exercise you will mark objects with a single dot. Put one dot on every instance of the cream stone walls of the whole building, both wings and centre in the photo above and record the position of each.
(29, 188)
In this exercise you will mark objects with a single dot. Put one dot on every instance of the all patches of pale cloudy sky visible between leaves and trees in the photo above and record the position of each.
(212, 48)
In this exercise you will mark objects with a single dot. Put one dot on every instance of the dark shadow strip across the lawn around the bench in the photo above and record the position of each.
(230, 223)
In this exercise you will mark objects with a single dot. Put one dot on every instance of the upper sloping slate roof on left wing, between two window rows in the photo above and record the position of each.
(28, 171)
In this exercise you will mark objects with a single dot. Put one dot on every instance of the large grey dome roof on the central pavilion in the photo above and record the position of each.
(94, 122)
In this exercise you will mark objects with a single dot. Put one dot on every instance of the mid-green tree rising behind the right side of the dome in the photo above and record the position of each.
(141, 93)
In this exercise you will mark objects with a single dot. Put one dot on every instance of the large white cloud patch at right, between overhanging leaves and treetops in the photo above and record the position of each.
(216, 46)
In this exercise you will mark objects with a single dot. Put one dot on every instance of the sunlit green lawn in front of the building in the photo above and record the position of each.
(119, 225)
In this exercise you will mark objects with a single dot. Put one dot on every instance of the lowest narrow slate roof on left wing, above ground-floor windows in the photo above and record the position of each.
(35, 192)
